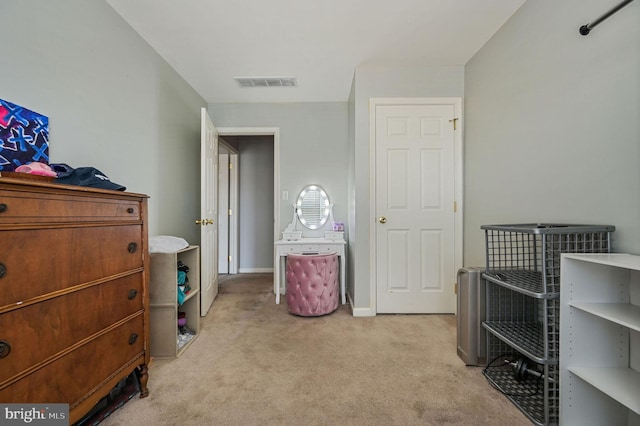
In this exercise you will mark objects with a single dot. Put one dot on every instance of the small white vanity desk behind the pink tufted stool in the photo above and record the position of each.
(308, 246)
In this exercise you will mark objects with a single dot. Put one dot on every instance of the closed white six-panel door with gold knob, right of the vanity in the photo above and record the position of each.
(414, 199)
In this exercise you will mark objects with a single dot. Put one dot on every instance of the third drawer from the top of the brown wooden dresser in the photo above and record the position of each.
(69, 319)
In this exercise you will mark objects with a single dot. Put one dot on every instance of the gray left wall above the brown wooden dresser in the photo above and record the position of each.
(112, 102)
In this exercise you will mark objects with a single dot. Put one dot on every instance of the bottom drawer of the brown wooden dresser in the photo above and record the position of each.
(75, 375)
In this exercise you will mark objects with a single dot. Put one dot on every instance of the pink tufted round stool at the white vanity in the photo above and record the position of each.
(312, 284)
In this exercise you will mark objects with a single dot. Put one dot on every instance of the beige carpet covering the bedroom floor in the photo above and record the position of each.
(253, 363)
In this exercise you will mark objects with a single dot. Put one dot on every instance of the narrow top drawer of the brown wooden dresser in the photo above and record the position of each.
(33, 207)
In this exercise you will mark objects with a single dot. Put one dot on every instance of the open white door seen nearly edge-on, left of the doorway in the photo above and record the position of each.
(208, 213)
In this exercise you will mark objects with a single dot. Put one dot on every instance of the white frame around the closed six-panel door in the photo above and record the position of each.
(458, 182)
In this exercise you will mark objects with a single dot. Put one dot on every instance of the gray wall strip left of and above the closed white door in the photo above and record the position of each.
(381, 83)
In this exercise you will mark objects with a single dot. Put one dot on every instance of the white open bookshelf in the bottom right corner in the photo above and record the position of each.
(600, 339)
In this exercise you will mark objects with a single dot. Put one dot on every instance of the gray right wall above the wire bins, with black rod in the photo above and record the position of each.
(552, 123)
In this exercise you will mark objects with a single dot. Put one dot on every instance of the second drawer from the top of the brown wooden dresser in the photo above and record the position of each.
(37, 262)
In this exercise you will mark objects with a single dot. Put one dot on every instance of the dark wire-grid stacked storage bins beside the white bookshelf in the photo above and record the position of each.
(523, 309)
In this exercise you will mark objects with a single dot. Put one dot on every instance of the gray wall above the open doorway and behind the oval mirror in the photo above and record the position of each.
(313, 146)
